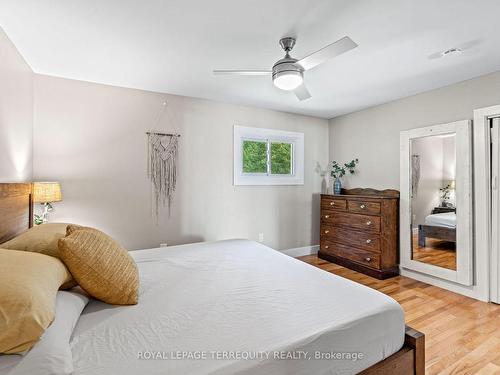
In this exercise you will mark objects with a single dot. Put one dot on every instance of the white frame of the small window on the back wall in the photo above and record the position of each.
(244, 133)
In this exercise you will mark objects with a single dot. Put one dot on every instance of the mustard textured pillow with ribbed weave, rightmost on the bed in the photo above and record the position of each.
(100, 265)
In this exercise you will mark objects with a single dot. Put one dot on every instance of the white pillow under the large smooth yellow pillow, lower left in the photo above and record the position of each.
(52, 354)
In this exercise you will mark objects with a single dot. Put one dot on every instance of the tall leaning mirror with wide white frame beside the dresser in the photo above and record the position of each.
(436, 236)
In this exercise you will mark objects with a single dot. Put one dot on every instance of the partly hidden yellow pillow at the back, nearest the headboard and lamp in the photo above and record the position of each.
(39, 239)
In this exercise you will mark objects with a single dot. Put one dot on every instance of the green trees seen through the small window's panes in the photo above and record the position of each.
(255, 157)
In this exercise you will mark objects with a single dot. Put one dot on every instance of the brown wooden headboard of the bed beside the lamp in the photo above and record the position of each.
(16, 209)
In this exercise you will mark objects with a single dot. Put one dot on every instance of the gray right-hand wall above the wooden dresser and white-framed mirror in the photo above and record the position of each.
(372, 135)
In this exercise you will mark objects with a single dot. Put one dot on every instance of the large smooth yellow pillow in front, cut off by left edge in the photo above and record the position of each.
(28, 288)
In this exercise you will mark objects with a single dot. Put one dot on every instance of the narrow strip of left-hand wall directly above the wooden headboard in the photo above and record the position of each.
(16, 114)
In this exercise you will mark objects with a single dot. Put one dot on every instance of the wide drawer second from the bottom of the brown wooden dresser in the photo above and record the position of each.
(362, 240)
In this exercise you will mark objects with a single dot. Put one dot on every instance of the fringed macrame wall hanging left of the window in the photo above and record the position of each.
(163, 151)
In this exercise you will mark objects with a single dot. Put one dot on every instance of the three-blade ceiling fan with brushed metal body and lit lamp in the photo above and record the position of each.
(288, 73)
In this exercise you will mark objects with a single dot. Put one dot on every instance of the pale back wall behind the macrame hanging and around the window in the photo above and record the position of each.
(90, 137)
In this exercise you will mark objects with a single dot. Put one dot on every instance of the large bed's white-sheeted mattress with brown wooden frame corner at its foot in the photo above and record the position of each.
(240, 307)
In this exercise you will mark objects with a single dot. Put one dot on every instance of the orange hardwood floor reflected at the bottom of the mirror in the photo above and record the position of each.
(437, 252)
